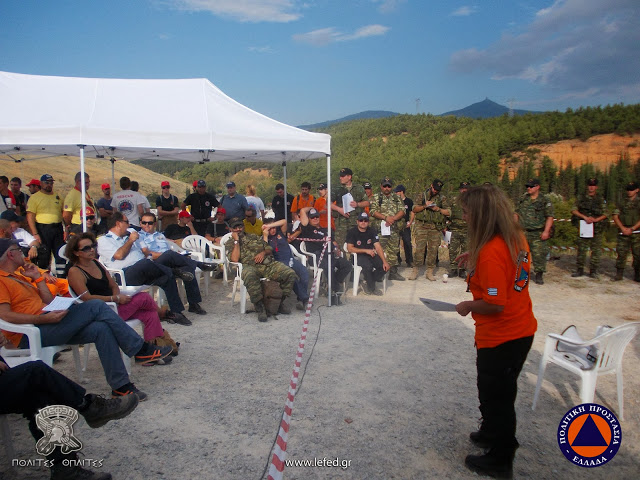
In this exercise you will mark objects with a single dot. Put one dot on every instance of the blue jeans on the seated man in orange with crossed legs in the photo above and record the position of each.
(95, 322)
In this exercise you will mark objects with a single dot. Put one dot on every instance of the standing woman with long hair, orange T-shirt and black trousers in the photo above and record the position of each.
(498, 261)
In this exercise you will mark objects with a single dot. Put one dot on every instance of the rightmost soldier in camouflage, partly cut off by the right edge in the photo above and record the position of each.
(627, 219)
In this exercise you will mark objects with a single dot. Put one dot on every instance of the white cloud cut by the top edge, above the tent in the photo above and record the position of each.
(243, 10)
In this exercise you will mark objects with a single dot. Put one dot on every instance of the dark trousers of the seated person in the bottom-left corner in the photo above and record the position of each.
(31, 386)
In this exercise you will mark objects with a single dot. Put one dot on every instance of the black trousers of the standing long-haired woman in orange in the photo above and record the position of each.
(498, 371)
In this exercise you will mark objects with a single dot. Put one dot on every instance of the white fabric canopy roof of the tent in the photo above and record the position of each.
(187, 119)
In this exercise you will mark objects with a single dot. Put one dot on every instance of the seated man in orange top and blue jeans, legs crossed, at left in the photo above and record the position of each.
(88, 322)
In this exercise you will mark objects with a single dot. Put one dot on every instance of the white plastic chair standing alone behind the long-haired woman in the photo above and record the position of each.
(610, 347)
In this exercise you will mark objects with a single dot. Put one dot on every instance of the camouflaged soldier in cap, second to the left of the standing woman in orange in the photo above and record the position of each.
(430, 208)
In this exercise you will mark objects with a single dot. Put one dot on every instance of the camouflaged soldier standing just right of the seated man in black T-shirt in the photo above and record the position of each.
(387, 207)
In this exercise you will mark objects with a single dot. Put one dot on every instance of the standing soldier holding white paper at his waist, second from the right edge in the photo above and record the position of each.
(591, 208)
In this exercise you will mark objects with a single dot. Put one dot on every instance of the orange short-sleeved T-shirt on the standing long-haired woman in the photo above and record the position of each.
(497, 281)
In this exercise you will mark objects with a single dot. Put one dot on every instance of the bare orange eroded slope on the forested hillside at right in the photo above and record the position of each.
(600, 151)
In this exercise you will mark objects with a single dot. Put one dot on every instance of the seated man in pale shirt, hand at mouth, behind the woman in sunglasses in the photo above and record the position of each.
(119, 249)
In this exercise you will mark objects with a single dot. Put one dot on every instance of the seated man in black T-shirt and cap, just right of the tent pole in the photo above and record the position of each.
(364, 240)
